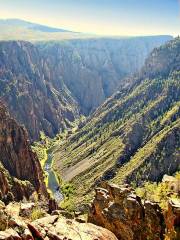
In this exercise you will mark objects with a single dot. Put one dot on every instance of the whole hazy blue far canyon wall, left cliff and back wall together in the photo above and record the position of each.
(46, 85)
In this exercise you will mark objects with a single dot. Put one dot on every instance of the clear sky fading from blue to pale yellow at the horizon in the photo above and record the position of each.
(103, 17)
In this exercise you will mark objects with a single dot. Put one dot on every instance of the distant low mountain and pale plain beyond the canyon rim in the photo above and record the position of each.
(17, 29)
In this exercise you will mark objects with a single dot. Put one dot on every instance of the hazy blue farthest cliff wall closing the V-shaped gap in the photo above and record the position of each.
(93, 69)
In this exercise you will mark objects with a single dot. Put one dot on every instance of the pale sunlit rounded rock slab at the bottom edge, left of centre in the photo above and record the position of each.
(58, 227)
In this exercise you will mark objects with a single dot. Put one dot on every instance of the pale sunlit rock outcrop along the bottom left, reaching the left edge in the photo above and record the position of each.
(53, 227)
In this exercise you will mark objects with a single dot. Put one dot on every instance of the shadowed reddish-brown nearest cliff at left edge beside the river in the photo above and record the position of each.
(20, 170)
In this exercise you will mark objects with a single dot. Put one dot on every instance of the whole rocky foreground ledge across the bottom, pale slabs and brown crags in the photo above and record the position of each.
(116, 213)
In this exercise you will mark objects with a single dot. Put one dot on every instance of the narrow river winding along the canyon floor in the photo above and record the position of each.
(53, 184)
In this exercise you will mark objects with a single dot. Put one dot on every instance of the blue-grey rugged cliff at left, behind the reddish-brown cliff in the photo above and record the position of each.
(26, 86)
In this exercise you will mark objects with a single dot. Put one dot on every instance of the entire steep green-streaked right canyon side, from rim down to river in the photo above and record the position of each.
(135, 135)
